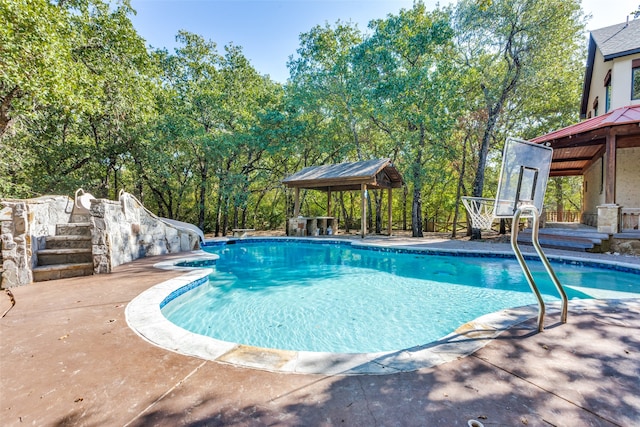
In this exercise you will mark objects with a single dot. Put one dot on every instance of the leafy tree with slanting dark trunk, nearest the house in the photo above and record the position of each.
(522, 64)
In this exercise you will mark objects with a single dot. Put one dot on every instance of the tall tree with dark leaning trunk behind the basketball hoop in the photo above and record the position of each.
(505, 44)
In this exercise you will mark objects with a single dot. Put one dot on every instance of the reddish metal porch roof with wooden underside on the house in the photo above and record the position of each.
(576, 147)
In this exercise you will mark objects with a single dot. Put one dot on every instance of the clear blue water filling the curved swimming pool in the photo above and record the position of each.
(338, 298)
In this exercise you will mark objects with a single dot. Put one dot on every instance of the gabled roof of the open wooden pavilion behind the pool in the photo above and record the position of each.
(376, 173)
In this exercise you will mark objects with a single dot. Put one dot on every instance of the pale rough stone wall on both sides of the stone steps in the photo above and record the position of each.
(122, 231)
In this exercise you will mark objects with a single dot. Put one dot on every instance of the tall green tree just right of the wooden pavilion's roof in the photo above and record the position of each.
(411, 85)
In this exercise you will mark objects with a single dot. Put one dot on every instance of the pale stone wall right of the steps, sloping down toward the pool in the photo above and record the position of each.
(124, 231)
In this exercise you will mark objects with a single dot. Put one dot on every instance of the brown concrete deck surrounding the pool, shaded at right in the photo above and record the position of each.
(67, 357)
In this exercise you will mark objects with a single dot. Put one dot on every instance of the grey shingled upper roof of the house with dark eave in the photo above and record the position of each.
(613, 42)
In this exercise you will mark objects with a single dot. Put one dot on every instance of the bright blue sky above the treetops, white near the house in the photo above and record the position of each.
(269, 30)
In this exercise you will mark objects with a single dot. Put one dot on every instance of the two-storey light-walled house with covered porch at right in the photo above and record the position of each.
(605, 148)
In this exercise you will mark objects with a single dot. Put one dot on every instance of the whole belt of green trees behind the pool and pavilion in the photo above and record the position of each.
(199, 135)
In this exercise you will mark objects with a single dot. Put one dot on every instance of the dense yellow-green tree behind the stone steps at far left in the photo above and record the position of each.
(78, 92)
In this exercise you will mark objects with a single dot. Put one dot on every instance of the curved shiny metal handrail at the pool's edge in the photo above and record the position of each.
(545, 262)
